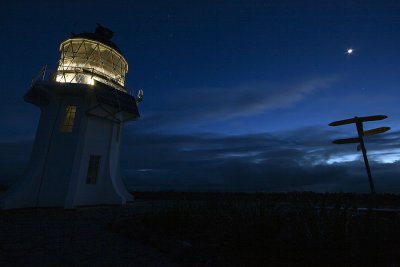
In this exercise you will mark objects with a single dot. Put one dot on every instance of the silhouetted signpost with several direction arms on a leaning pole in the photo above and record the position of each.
(361, 133)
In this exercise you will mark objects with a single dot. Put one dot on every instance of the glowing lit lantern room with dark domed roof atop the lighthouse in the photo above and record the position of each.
(92, 57)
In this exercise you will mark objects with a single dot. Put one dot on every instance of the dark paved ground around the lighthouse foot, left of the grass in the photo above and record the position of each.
(79, 237)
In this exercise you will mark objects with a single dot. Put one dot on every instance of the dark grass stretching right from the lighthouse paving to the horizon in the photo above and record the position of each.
(294, 229)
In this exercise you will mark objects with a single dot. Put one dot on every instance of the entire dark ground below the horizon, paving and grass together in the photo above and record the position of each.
(208, 229)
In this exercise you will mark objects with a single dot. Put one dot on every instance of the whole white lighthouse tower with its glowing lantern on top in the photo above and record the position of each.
(74, 160)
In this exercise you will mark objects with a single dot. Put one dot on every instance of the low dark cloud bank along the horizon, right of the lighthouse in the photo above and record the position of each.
(259, 162)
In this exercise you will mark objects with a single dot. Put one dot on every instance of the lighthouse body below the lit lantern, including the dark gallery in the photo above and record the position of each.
(59, 172)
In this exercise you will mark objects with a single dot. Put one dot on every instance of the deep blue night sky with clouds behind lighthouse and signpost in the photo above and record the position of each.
(238, 94)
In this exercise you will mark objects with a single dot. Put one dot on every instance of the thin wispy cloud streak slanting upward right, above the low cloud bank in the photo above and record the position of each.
(215, 104)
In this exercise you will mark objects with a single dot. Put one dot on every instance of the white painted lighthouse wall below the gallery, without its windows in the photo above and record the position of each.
(56, 174)
